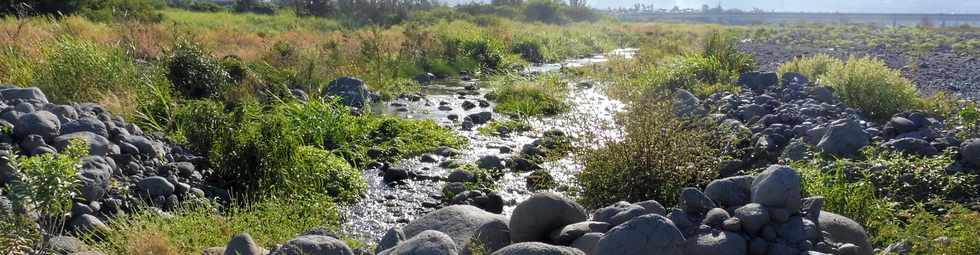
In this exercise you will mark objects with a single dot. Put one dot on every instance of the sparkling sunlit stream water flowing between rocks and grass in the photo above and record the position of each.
(385, 206)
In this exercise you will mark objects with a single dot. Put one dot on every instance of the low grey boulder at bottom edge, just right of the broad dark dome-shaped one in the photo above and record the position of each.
(717, 243)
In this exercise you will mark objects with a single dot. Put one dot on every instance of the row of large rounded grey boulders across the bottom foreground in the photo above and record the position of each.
(762, 214)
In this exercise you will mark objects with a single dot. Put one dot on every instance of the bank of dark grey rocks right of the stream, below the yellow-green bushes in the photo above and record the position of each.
(790, 119)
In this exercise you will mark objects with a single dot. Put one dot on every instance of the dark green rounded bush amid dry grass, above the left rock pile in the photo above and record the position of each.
(194, 73)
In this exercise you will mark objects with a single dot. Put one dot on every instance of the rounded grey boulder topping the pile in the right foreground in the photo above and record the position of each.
(778, 186)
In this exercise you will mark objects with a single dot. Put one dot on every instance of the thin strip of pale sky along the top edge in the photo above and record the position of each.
(873, 6)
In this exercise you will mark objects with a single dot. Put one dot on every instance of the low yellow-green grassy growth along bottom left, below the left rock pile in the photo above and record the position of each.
(193, 228)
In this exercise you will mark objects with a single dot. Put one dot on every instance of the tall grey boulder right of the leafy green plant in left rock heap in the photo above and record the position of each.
(94, 174)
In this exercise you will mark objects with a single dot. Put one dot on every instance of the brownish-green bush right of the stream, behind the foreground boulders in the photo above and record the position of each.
(659, 155)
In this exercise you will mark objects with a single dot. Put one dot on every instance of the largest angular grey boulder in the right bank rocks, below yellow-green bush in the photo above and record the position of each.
(844, 138)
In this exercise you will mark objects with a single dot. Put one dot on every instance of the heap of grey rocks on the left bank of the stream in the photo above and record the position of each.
(125, 168)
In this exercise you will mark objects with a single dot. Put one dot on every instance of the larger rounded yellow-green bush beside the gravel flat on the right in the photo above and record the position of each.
(869, 85)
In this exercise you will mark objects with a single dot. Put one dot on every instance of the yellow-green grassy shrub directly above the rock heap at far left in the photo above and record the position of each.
(82, 71)
